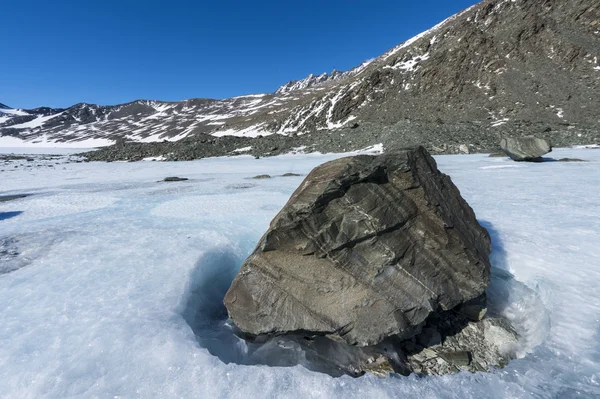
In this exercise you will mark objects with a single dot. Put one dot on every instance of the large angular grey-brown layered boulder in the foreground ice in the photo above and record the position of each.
(366, 248)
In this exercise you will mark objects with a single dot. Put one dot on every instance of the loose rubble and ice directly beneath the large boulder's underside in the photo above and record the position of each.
(448, 342)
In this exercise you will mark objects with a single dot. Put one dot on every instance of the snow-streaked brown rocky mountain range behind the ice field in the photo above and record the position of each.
(501, 66)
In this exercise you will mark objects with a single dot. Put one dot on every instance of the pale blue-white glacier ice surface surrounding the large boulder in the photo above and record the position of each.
(113, 281)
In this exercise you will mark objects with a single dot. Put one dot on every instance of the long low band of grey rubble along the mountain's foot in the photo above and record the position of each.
(440, 139)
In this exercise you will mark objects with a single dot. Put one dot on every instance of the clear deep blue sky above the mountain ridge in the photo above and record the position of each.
(58, 53)
